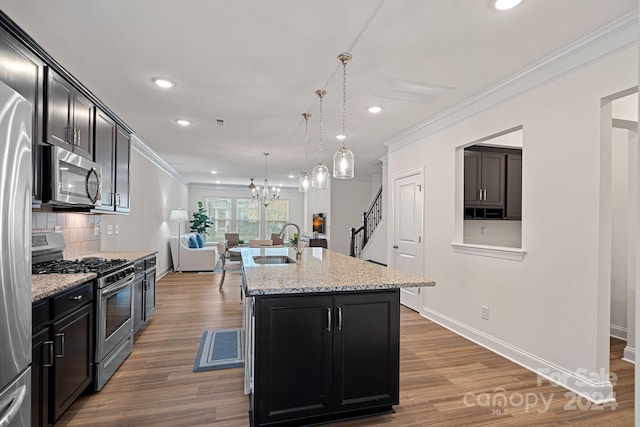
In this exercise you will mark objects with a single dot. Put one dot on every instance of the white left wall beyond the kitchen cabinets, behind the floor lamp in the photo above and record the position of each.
(153, 194)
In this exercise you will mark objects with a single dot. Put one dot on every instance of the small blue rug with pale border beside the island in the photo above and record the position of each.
(219, 349)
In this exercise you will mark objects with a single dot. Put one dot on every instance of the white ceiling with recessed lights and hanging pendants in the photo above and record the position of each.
(257, 64)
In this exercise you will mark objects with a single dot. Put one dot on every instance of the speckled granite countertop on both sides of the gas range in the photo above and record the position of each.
(46, 285)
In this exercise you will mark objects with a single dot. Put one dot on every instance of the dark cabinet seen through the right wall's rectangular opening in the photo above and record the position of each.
(488, 188)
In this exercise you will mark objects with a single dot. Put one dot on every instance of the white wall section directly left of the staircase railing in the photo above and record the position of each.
(349, 200)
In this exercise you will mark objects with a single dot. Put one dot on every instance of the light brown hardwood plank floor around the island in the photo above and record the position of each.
(156, 385)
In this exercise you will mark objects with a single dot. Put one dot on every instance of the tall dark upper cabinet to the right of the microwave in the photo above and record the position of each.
(112, 152)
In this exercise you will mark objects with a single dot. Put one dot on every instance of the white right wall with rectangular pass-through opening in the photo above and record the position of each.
(549, 309)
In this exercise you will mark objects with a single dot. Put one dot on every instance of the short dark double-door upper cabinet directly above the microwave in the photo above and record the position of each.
(69, 116)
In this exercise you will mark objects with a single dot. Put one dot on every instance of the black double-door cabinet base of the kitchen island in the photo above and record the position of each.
(319, 357)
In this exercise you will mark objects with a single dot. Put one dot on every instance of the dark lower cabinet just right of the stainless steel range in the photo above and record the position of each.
(144, 291)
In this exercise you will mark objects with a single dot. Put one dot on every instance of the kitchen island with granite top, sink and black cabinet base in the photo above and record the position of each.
(322, 335)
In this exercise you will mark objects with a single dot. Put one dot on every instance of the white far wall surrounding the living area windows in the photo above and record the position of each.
(201, 192)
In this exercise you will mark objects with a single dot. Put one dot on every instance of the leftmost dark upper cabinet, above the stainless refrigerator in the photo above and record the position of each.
(21, 70)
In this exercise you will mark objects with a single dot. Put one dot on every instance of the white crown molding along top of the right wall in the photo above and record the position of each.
(610, 39)
